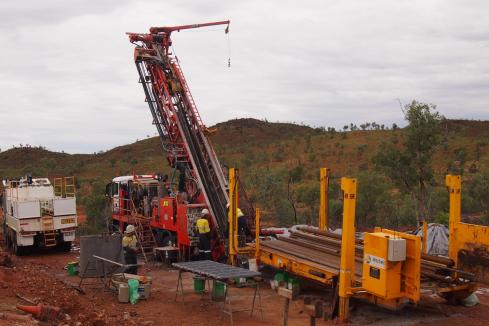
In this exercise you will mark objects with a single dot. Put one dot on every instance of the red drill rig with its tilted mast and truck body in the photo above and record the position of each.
(202, 182)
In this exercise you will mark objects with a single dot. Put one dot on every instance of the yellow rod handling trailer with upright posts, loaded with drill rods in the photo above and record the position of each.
(387, 268)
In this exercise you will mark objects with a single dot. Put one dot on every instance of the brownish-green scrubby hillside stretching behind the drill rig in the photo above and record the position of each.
(269, 155)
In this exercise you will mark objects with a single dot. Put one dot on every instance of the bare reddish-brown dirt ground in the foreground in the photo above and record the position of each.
(40, 278)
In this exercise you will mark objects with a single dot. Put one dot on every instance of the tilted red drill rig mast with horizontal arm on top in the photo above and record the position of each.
(178, 122)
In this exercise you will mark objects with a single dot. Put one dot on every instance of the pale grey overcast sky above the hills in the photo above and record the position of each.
(68, 80)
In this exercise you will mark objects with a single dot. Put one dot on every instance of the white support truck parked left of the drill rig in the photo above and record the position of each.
(38, 214)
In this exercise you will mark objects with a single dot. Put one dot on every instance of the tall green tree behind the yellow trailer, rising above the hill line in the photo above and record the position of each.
(410, 166)
